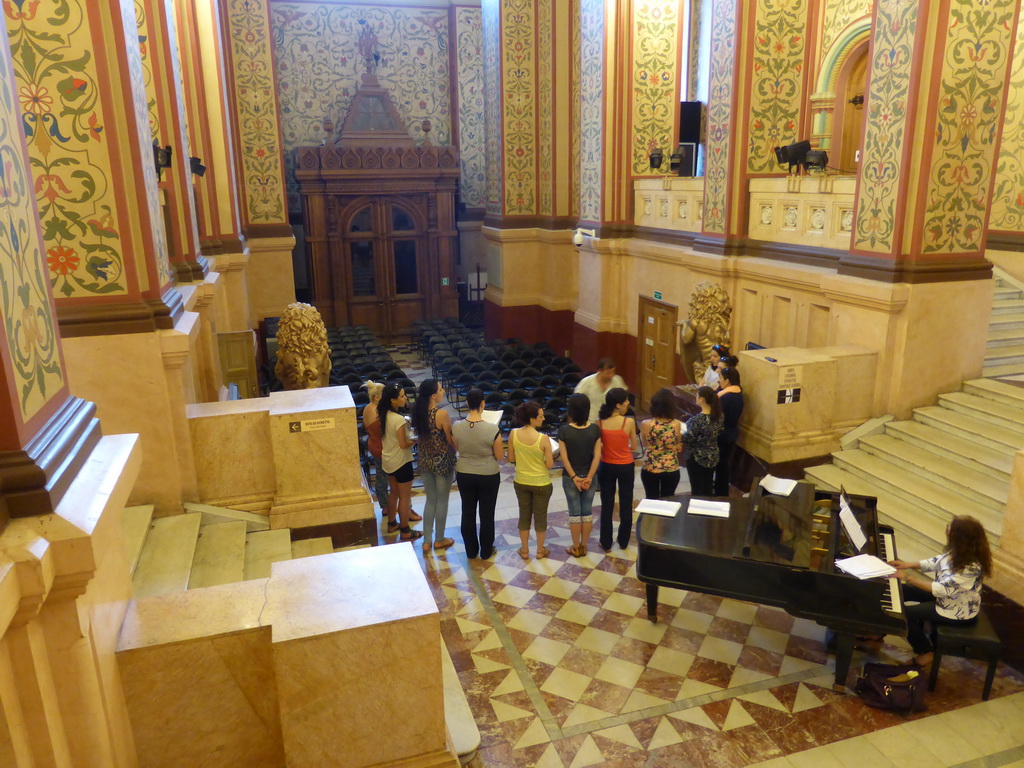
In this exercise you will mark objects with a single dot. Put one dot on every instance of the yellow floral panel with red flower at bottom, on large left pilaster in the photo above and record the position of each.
(57, 78)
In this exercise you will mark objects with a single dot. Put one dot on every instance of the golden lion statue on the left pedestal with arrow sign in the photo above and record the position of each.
(304, 357)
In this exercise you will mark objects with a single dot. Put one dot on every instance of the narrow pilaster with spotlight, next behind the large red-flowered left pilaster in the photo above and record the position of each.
(162, 69)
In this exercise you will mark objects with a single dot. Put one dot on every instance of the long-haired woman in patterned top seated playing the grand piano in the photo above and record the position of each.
(955, 596)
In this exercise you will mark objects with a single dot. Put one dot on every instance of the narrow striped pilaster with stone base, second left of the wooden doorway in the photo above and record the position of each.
(209, 118)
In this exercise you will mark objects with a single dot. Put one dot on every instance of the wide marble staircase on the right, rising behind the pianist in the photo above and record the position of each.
(953, 458)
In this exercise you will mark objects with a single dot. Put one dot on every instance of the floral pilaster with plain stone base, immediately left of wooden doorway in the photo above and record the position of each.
(247, 40)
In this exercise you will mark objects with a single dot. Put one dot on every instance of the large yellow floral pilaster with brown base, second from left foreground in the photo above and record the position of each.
(79, 74)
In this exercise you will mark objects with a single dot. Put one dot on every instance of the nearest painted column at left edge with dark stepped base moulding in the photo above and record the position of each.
(46, 435)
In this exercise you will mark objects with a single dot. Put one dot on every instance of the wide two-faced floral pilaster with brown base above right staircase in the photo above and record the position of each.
(940, 76)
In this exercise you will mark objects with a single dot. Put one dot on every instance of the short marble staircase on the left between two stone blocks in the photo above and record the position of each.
(205, 547)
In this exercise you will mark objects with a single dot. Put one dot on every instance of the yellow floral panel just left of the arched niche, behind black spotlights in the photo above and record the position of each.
(780, 40)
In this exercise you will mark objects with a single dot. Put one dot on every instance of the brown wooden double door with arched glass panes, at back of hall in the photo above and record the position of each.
(382, 266)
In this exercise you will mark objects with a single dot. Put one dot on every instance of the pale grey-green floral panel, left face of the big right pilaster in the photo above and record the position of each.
(885, 126)
